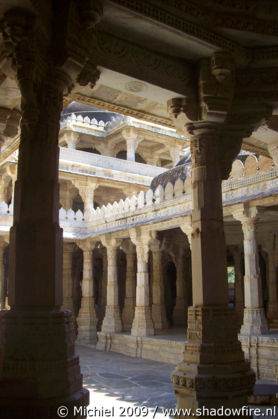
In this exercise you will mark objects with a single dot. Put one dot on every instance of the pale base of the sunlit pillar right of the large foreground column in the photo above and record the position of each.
(254, 322)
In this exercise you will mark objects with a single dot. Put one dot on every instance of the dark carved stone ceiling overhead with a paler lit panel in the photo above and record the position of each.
(147, 52)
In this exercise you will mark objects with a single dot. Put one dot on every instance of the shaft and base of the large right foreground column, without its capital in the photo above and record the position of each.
(213, 360)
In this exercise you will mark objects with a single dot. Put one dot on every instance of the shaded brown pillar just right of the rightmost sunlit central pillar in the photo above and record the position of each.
(158, 303)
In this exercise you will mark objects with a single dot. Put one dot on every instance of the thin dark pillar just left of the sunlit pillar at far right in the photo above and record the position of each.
(239, 283)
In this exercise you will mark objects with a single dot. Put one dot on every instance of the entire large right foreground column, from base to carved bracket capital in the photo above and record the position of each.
(213, 372)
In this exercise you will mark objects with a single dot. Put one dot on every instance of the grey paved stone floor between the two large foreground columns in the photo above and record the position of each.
(133, 387)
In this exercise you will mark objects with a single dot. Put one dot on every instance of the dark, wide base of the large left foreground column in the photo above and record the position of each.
(39, 370)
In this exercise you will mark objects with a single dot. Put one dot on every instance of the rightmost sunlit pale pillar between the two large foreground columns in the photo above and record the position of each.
(142, 324)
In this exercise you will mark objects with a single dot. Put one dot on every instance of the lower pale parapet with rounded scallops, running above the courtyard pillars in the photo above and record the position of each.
(152, 206)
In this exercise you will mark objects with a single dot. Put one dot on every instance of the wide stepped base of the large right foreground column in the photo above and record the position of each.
(213, 373)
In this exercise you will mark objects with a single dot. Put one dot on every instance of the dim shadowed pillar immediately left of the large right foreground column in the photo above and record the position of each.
(180, 309)
